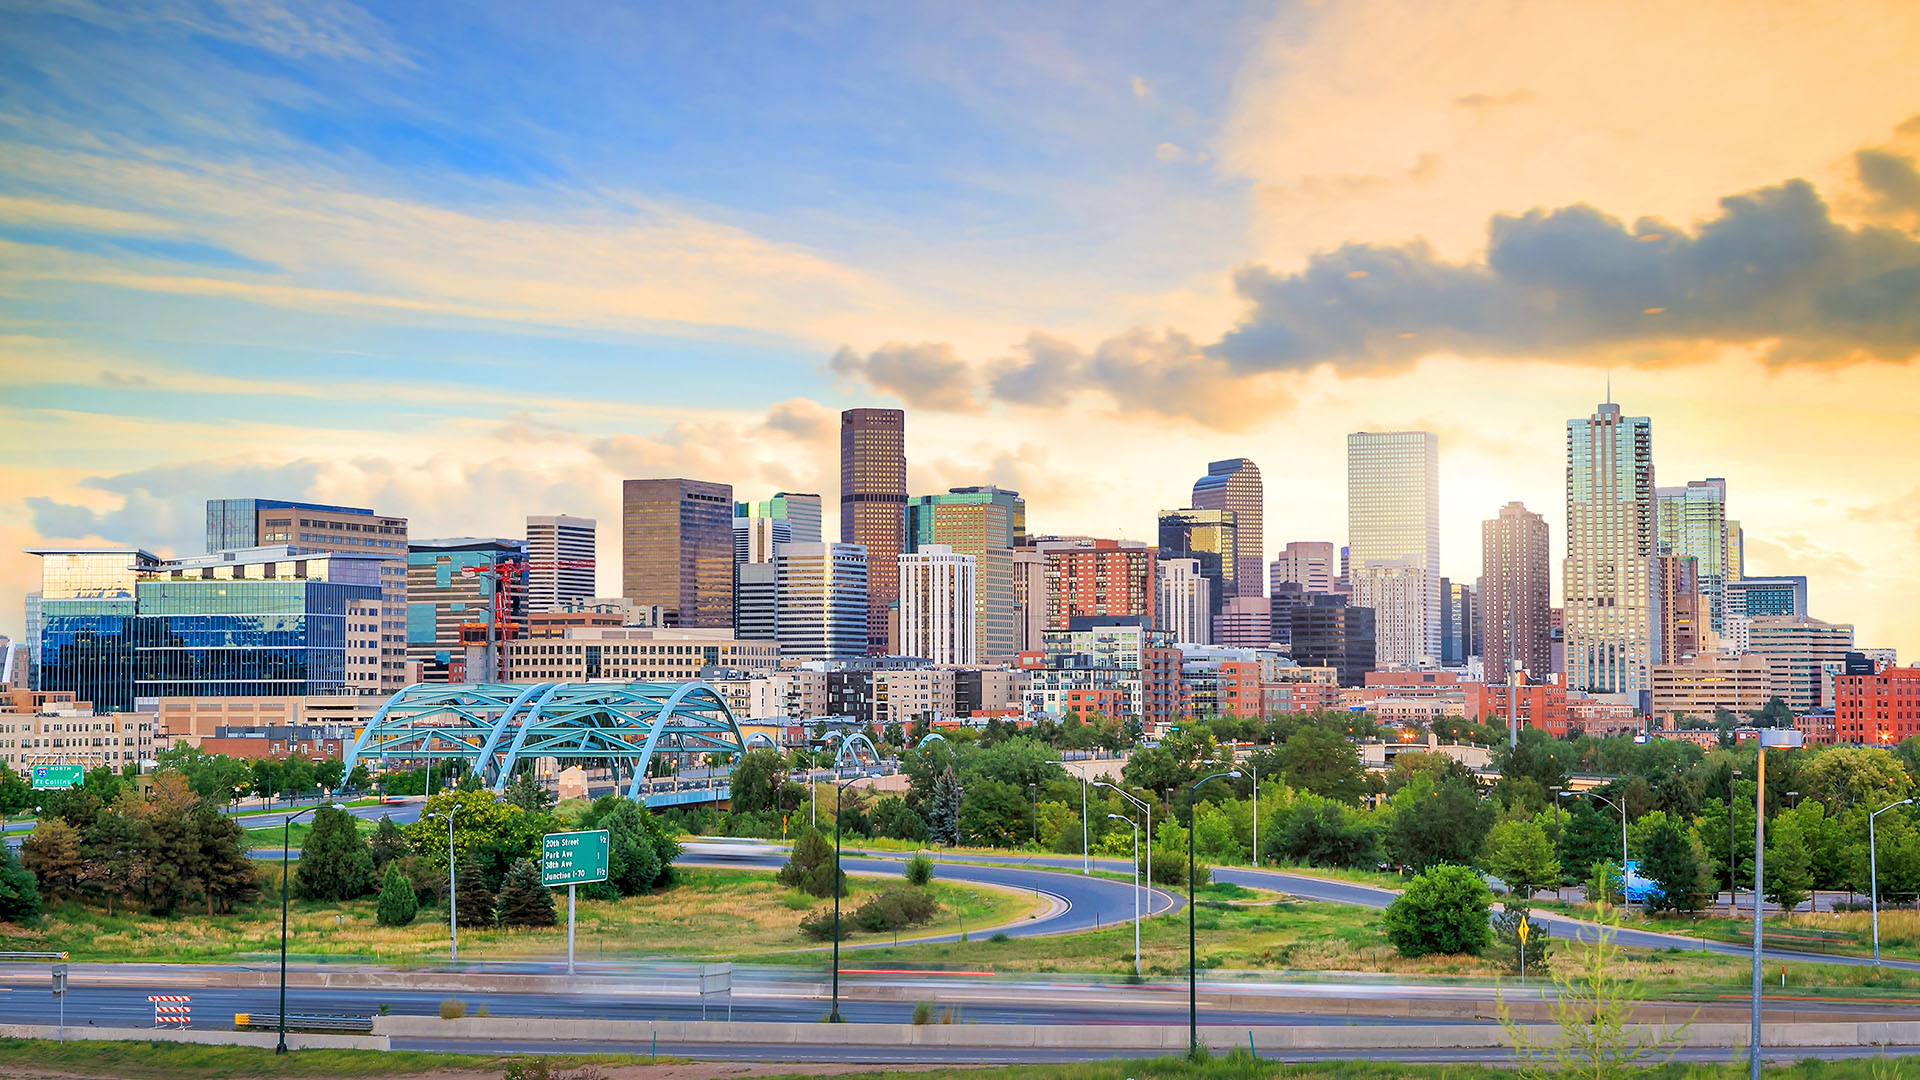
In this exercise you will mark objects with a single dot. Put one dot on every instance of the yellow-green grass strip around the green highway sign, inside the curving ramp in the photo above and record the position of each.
(709, 914)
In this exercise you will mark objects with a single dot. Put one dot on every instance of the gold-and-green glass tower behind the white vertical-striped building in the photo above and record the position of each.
(982, 524)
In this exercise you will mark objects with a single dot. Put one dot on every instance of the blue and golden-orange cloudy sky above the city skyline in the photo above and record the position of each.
(469, 262)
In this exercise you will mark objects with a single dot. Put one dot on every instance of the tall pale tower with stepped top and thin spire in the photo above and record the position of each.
(1608, 577)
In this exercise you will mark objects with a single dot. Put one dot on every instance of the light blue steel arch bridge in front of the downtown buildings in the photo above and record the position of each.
(617, 725)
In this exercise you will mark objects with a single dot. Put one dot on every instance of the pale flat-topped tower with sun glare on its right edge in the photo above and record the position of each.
(1393, 524)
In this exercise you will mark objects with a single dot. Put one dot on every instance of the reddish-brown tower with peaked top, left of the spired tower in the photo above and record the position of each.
(1516, 595)
